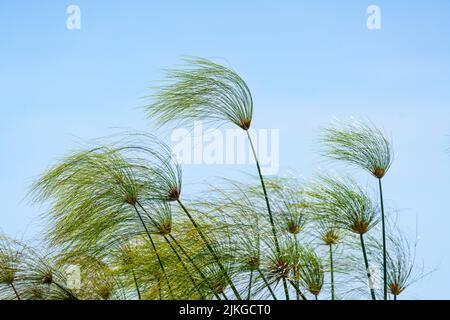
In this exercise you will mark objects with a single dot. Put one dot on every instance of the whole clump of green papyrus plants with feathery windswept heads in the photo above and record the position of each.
(117, 212)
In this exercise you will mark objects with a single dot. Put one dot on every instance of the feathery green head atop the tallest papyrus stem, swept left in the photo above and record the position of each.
(203, 90)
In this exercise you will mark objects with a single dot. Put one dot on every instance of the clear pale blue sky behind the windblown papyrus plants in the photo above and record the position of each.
(307, 62)
